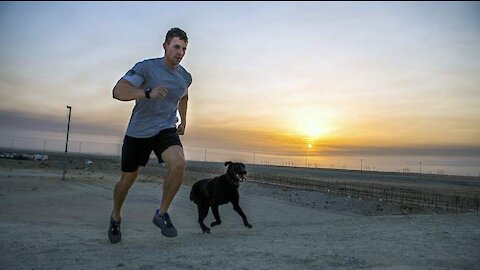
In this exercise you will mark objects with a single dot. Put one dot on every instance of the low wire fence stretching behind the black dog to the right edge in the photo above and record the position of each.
(446, 199)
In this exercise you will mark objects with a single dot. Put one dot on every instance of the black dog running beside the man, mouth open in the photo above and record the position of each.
(219, 190)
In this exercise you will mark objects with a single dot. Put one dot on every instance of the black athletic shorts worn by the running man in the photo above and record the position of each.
(136, 151)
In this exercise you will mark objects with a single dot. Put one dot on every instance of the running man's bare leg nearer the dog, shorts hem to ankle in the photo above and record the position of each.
(175, 159)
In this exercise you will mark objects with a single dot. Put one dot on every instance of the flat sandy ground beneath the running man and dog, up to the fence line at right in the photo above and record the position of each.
(48, 223)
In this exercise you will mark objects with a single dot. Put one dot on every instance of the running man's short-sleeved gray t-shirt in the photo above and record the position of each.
(151, 116)
